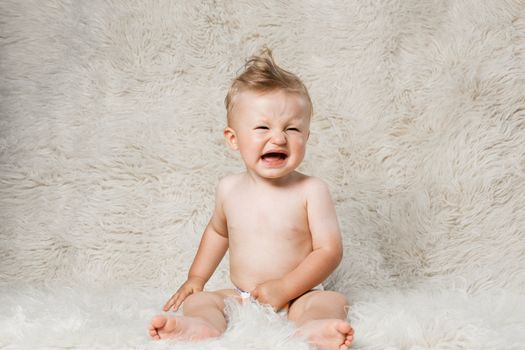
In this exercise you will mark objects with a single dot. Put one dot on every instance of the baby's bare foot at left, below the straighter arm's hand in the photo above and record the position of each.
(181, 328)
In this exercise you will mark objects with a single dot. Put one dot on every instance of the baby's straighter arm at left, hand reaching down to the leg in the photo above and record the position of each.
(213, 246)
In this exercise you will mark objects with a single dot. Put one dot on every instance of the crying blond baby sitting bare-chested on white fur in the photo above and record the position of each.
(279, 225)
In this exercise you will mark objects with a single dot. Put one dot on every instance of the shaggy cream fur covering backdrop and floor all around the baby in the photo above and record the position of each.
(111, 146)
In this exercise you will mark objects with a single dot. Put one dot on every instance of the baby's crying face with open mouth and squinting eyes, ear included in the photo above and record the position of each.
(270, 130)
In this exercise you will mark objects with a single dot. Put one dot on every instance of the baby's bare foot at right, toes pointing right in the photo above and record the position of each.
(330, 334)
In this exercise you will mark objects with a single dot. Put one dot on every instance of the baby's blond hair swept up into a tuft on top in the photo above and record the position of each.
(262, 74)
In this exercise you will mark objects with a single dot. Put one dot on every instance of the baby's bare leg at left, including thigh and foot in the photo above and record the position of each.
(203, 318)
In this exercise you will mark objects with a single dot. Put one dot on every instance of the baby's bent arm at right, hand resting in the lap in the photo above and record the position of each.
(324, 258)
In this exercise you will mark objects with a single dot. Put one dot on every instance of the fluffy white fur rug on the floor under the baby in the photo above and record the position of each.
(116, 317)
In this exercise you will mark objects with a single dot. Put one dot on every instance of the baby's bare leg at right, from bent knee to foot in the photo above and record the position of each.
(321, 318)
